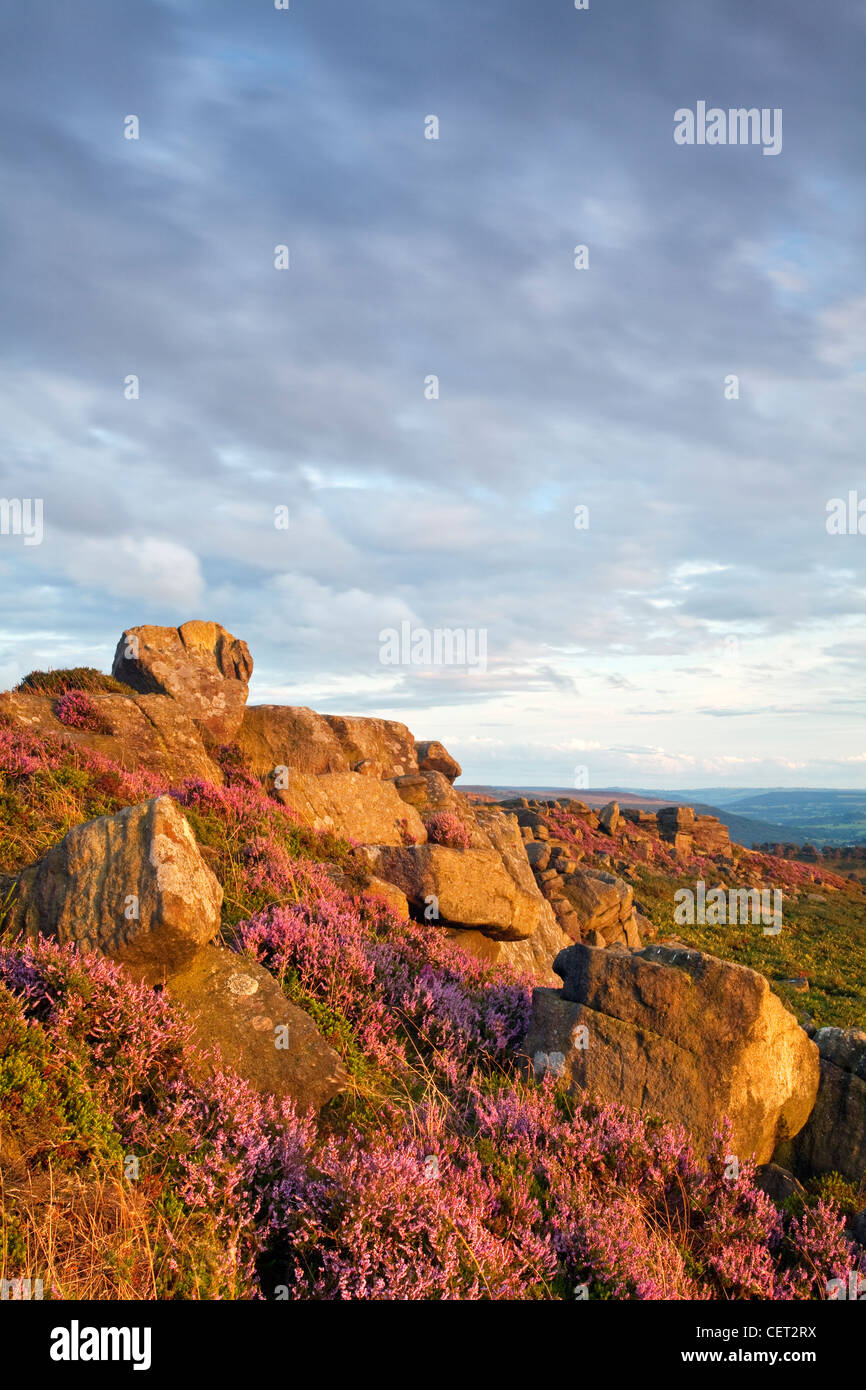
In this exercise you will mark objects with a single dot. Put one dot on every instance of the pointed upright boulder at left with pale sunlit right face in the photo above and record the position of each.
(133, 886)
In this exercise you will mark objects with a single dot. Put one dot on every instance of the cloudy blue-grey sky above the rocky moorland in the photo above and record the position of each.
(393, 433)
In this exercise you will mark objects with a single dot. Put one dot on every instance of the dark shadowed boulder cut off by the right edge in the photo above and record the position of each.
(833, 1140)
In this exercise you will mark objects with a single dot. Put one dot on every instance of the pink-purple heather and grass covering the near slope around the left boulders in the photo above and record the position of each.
(443, 1172)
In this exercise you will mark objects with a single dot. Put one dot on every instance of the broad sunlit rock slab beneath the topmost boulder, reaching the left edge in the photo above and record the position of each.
(140, 732)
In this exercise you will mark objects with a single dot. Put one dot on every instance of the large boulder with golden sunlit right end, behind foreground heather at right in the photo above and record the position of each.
(685, 1036)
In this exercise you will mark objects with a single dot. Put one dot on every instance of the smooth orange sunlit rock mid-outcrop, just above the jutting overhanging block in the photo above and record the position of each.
(355, 807)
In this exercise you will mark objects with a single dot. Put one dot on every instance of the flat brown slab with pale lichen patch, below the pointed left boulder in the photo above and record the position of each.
(238, 1008)
